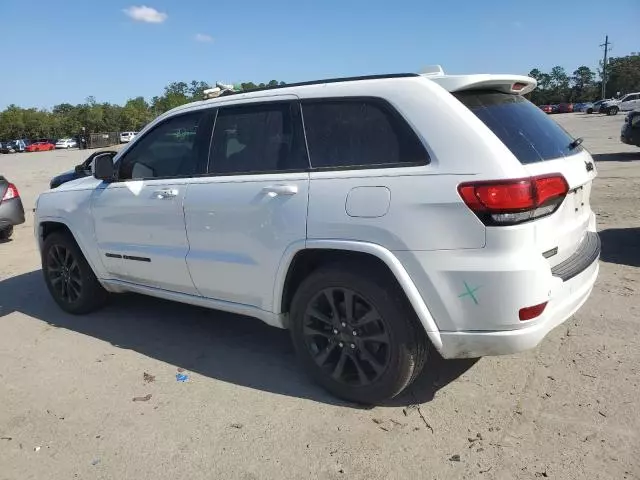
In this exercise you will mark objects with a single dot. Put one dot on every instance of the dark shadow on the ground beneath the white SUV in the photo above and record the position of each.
(231, 348)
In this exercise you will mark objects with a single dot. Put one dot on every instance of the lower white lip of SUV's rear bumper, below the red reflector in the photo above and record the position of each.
(563, 304)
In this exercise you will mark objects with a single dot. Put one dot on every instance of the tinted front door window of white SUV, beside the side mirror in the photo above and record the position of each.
(172, 149)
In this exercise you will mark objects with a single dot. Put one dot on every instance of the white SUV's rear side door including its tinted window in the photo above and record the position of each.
(252, 206)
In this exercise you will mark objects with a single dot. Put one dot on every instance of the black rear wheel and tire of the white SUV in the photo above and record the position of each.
(372, 370)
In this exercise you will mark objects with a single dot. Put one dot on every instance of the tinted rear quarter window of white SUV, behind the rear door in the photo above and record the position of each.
(352, 133)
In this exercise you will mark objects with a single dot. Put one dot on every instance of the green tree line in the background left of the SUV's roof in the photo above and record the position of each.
(65, 119)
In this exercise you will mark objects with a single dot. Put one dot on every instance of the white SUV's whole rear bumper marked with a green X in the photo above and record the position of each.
(474, 296)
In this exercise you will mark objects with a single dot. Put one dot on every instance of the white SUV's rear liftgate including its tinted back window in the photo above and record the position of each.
(543, 147)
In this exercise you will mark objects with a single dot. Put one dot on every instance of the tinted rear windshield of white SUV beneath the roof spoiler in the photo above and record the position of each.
(525, 129)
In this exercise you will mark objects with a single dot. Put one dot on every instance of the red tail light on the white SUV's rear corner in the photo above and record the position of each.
(509, 202)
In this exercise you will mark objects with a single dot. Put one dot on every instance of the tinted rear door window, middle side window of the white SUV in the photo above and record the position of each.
(257, 139)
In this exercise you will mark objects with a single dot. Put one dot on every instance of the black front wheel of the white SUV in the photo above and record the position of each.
(65, 268)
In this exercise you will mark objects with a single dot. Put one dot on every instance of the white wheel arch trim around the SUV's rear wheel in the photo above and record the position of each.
(303, 257)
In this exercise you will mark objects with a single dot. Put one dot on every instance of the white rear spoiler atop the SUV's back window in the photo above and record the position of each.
(518, 84)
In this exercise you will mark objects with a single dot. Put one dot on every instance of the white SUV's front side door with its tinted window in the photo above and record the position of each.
(139, 219)
